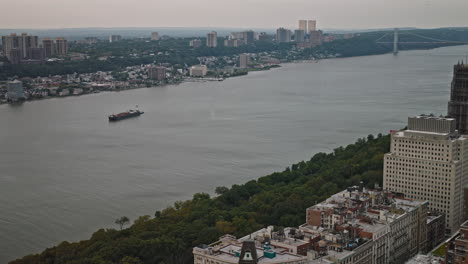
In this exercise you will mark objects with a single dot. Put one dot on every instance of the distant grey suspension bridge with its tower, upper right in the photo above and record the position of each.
(427, 40)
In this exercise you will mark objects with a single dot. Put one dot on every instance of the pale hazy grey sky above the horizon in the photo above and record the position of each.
(346, 14)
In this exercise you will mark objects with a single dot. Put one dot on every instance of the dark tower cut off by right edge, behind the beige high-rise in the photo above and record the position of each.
(458, 104)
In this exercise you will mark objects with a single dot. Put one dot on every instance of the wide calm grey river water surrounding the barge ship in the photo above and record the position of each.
(65, 171)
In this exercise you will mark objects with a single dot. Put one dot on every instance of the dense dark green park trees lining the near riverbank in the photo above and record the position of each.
(279, 199)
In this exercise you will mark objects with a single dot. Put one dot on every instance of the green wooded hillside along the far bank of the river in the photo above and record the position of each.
(104, 56)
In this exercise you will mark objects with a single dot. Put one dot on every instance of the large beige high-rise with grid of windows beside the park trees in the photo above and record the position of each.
(429, 161)
